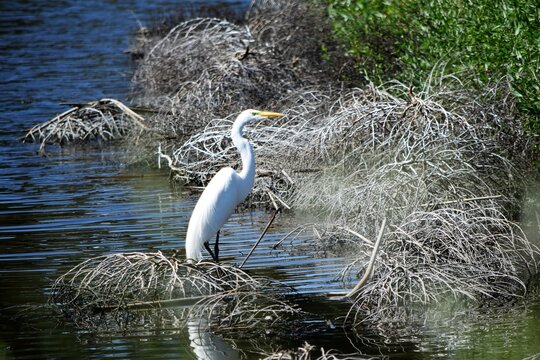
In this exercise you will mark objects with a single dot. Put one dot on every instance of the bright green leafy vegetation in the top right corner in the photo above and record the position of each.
(407, 39)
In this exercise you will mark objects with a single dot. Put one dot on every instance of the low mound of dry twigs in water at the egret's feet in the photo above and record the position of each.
(120, 288)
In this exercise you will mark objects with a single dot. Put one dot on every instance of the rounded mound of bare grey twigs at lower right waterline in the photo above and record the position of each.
(465, 254)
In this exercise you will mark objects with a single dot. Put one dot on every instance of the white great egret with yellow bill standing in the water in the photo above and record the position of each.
(224, 192)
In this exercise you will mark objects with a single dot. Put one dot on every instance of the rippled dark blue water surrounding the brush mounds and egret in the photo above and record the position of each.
(75, 204)
